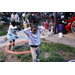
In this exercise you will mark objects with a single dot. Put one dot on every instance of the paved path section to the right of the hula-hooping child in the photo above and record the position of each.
(68, 39)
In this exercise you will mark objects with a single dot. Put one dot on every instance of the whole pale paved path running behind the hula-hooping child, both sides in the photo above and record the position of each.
(68, 39)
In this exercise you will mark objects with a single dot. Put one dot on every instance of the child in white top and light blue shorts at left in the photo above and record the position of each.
(10, 34)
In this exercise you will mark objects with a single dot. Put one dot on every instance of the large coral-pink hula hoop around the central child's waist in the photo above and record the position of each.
(26, 52)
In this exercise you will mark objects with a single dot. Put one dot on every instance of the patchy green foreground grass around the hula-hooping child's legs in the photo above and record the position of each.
(51, 52)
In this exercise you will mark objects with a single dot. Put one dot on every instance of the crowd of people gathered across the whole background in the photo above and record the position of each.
(26, 19)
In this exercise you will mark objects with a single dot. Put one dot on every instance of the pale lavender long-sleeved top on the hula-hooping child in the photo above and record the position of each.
(34, 39)
